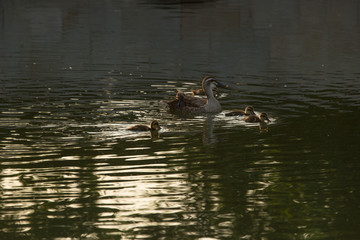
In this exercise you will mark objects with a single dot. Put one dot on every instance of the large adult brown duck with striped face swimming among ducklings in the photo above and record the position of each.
(189, 103)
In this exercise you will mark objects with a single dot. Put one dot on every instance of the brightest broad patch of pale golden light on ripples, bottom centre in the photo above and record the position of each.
(152, 190)
